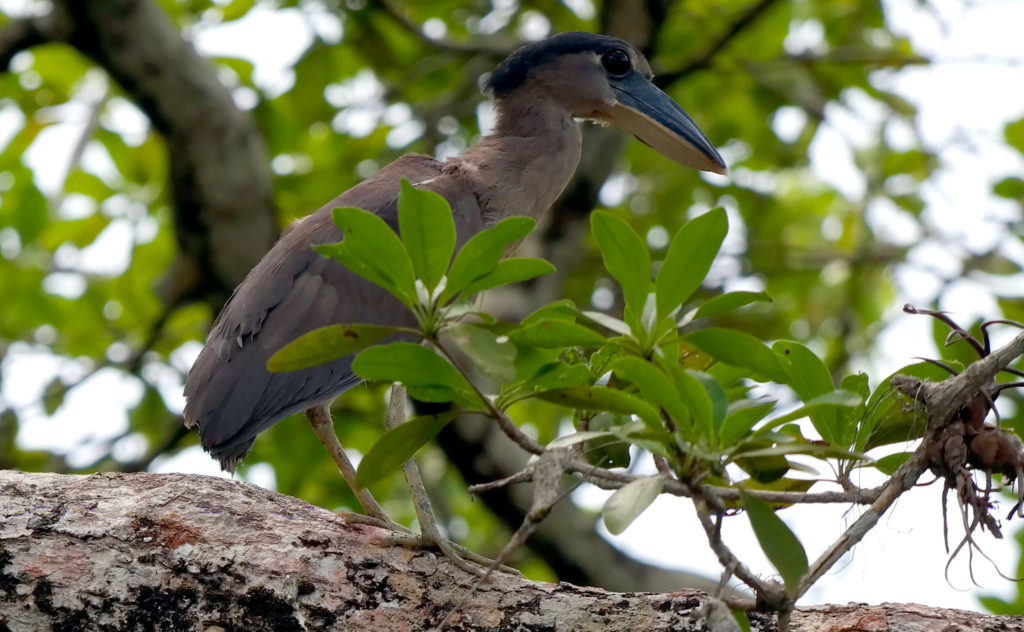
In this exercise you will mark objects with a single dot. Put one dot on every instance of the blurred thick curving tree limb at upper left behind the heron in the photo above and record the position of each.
(221, 181)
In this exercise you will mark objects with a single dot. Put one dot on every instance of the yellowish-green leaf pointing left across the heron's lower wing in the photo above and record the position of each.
(326, 345)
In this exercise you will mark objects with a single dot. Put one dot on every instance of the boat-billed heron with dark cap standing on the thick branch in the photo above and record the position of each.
(520, 168)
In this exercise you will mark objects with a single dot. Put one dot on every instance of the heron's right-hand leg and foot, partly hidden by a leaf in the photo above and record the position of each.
(431, 532)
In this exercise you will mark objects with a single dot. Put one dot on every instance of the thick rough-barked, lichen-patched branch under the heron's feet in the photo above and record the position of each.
(184, 553)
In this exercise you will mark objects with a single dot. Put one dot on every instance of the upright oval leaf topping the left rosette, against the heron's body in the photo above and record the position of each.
(429, 232)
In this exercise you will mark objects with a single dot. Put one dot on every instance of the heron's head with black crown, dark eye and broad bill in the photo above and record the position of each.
(609, 80)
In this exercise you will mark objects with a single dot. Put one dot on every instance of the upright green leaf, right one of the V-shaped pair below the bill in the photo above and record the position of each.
(690, 259)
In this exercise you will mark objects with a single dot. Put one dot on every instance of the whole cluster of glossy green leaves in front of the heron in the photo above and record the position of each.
(655, 380)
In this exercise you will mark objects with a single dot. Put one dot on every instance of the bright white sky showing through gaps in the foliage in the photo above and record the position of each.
(965, 100)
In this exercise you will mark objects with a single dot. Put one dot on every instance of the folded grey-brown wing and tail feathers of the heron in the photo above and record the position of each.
(231, 396)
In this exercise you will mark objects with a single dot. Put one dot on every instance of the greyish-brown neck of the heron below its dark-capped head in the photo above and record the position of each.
(527, 162)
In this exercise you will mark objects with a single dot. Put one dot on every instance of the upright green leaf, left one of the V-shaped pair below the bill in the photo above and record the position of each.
(625, 258)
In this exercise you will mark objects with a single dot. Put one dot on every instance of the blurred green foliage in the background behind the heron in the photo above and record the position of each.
(87, 223)
